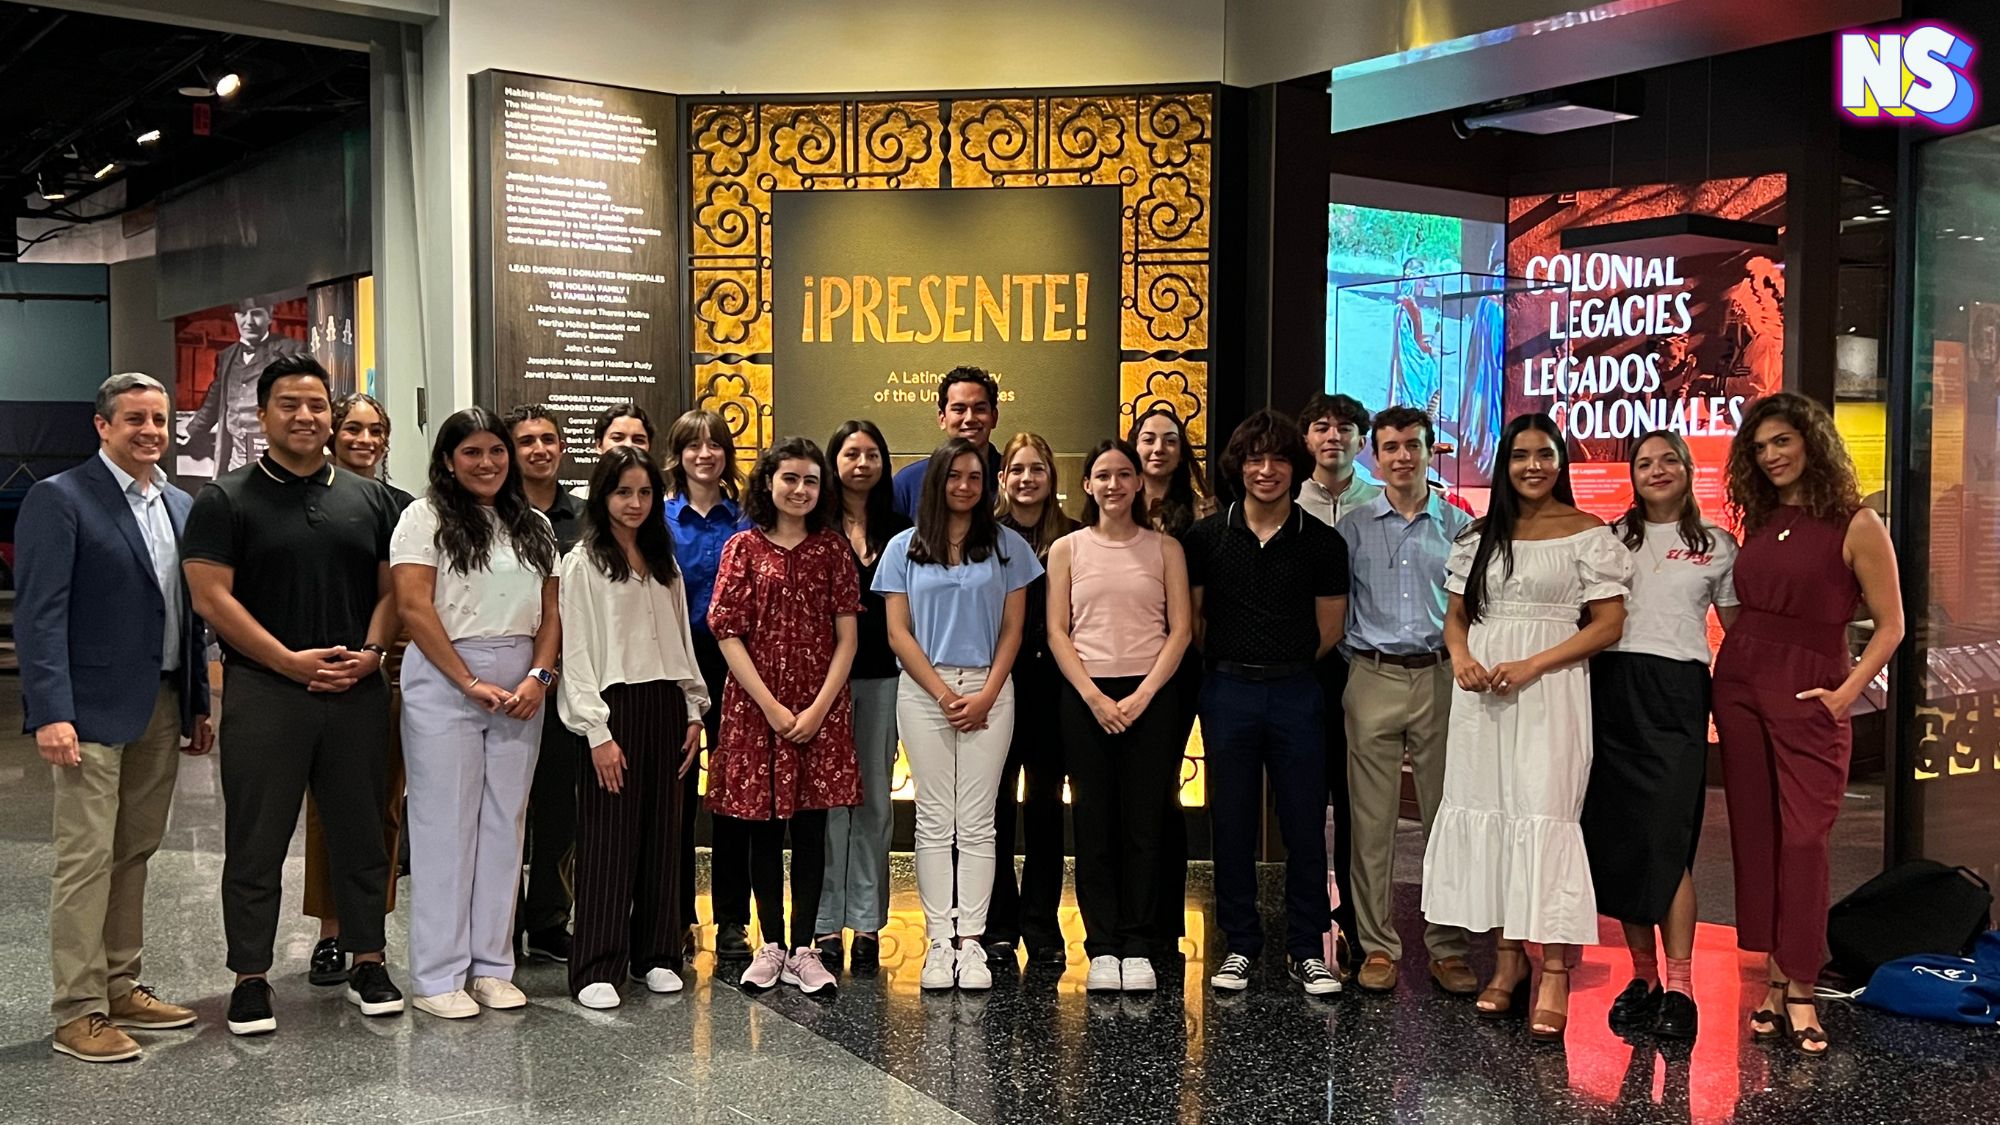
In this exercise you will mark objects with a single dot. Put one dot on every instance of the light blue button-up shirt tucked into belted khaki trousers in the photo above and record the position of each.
(1397, 576)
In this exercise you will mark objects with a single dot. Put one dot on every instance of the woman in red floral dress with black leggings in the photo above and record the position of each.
(783, 612)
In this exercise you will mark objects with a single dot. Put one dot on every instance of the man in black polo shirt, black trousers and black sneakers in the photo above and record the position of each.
(287, 557)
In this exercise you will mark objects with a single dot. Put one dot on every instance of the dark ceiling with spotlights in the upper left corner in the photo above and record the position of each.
(77, 91)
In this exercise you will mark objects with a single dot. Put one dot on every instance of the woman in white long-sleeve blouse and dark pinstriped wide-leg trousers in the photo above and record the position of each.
(633, 690)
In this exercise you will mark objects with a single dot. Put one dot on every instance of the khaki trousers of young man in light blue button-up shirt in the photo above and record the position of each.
(1393, 714)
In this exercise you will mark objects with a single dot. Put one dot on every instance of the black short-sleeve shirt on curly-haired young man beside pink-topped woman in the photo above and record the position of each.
(1259, 598)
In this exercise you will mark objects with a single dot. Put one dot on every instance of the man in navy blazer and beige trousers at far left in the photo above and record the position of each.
(113, 678)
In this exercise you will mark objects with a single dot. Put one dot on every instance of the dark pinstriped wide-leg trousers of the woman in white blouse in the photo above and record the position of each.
(629, 842)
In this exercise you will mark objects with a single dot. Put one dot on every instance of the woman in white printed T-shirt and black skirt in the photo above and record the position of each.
(1649, 696)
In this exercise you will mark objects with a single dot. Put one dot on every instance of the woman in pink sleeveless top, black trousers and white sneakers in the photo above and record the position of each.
(1119, 622)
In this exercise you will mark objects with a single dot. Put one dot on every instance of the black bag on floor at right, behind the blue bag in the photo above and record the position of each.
(1913, 908)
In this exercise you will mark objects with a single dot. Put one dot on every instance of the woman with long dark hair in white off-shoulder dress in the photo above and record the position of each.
(1507, 852)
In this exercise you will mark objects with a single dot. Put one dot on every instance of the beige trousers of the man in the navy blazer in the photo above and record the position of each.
(111, 814)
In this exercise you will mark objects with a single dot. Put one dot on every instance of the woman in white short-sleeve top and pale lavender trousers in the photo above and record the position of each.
(475, 584)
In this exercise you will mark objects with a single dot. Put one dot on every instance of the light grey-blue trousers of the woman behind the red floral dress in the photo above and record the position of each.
(857, 840)
